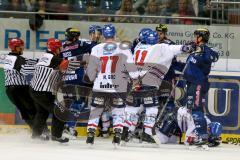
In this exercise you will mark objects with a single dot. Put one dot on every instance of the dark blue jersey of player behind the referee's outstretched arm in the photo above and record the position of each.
(75, 51)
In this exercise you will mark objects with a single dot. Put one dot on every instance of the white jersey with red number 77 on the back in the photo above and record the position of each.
(107, 65)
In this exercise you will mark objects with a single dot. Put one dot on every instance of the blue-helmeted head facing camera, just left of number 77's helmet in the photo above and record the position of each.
(95, 33)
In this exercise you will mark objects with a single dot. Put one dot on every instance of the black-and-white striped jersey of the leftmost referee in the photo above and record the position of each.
(12, 66)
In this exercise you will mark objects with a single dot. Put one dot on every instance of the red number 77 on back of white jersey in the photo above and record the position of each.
(113, 62)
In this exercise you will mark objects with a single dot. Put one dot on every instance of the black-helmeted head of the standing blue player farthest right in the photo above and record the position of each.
(201, 35)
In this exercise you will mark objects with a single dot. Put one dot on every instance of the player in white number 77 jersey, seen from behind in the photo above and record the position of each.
(107, 65)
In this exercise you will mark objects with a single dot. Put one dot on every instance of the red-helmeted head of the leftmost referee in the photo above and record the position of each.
(16, 45)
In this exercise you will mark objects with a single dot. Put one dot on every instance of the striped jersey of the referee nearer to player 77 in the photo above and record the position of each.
(45, 75)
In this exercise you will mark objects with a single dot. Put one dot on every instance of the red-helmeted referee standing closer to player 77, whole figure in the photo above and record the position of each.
(41, 91)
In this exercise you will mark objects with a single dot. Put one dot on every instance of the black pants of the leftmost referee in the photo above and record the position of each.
(20, 96)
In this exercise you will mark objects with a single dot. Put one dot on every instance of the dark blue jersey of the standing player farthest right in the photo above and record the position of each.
(199, 65)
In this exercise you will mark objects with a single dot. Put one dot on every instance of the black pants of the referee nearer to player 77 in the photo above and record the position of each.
(44, 102)
